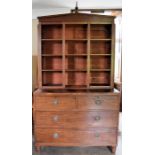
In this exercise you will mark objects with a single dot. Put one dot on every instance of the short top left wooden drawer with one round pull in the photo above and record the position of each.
(54, 103)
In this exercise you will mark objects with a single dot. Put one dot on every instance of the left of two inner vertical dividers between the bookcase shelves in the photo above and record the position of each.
(63, 55)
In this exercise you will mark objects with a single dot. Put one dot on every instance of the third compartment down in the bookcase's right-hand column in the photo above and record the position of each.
(98, 62)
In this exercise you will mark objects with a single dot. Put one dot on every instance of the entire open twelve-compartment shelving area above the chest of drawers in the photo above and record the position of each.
(76, 57)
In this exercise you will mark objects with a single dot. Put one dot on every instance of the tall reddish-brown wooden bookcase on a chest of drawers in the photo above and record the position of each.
(76, 104)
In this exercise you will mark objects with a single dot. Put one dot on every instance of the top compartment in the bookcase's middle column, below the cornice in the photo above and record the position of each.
(76, 31)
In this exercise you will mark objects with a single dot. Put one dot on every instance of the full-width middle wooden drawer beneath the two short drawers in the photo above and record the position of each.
(77, 120)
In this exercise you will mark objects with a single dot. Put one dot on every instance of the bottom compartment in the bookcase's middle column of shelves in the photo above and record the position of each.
(76, 79)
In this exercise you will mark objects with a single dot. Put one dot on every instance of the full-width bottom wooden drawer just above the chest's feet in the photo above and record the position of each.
(60, 137)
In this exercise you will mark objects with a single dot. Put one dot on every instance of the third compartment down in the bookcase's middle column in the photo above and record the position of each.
(76, 63)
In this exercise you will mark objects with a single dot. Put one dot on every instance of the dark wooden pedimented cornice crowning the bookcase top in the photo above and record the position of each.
(76, 17)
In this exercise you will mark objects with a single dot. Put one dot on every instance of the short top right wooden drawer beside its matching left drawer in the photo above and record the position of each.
(98, 102)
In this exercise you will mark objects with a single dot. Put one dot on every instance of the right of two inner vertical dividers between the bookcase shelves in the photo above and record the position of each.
(88, 55)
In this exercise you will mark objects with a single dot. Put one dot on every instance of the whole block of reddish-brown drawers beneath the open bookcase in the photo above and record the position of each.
(71, 120)
